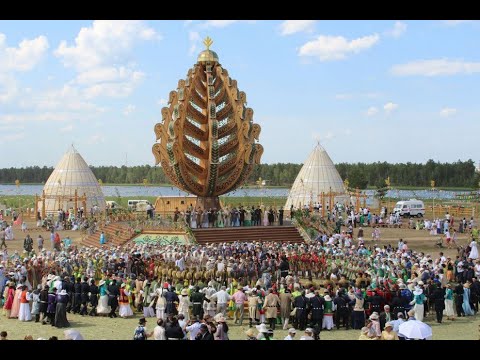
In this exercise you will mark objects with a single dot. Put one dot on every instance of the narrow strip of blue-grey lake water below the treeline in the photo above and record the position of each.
(135, 191)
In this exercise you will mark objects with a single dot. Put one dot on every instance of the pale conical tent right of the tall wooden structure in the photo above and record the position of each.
(318, 174)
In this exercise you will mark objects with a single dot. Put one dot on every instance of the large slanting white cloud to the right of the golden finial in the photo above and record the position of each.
(327, 48)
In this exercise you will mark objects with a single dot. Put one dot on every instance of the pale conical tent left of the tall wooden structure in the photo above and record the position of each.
(72, 173)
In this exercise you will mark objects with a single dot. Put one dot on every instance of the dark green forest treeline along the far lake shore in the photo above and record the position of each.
(456, 174)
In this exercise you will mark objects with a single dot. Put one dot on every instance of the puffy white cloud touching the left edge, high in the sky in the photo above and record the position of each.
(24, 57)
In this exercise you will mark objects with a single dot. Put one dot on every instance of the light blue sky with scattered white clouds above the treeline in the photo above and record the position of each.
(395, 91)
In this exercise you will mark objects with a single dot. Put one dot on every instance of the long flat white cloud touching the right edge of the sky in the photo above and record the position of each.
(435, 67)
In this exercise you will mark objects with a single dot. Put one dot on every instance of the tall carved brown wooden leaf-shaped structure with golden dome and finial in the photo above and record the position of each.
(207, 142)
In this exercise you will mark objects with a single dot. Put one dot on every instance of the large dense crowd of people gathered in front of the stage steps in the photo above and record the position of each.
(347, 284)
